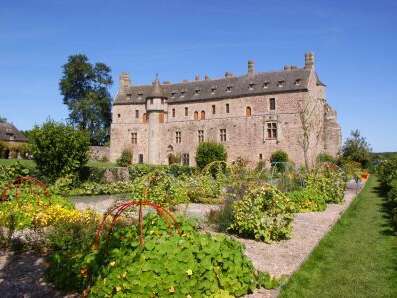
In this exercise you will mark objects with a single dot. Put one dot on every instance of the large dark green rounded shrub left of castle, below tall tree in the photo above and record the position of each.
(59, 149)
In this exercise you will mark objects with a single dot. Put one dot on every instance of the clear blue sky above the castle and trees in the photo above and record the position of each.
(355, 43)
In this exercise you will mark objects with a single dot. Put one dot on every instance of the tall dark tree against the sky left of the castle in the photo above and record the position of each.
(84, 88)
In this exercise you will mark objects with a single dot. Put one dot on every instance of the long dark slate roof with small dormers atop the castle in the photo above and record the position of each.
(290, 80)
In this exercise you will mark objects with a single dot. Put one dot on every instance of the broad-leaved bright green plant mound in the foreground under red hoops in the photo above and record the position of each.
(169, 264)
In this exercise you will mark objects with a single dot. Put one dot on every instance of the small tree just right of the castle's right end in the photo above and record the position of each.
(356, 148)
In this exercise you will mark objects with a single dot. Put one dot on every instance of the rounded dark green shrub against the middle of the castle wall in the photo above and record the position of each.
(208, 152)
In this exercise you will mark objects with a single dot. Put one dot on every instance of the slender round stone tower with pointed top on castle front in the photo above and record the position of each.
(155, 108)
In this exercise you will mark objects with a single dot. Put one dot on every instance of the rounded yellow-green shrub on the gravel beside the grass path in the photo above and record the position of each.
(264, 213)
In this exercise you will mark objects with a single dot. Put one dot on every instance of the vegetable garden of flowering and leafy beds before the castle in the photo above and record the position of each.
(125, 252)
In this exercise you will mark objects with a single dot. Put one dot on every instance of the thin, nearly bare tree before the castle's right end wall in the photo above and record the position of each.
(311, 126)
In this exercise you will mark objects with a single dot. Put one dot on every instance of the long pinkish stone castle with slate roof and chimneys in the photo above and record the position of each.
(253, 115)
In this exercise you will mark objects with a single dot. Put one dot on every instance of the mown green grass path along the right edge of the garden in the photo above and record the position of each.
(357, 258)
